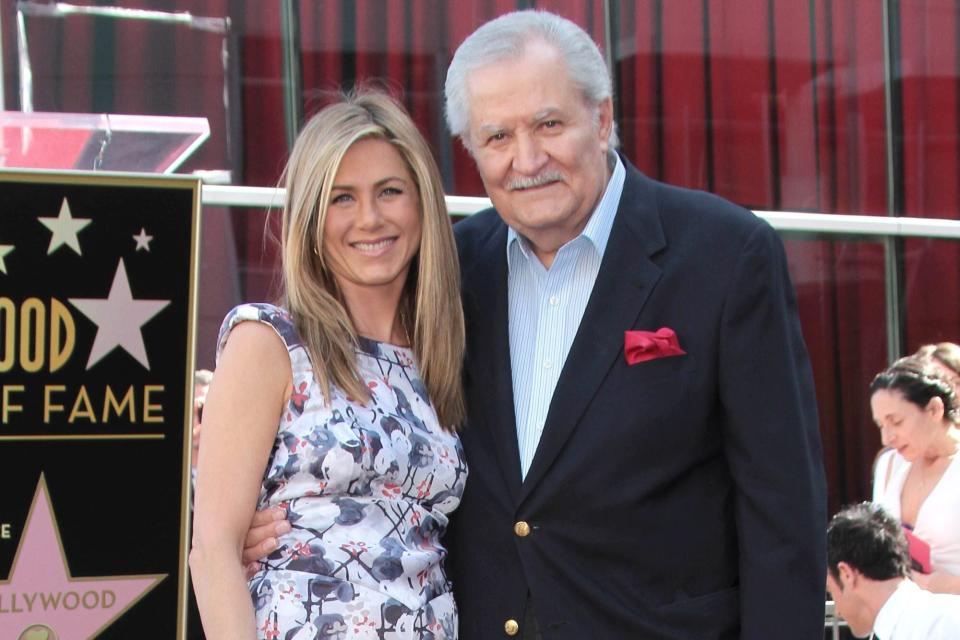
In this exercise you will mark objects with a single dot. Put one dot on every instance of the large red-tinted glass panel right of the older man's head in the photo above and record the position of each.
(773, 105)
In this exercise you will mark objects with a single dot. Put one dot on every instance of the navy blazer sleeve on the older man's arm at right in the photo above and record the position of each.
(772, 444)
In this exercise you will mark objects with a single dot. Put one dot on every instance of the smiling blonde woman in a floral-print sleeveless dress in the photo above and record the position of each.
(340, 406)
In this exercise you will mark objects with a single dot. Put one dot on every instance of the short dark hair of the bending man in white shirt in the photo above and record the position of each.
(869, 540)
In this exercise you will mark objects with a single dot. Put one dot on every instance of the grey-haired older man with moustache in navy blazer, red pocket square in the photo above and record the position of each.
(642, 437)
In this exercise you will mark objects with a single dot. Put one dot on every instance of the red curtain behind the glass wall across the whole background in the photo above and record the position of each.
(775, 105)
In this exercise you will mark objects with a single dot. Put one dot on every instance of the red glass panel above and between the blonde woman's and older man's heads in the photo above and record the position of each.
(405, 46)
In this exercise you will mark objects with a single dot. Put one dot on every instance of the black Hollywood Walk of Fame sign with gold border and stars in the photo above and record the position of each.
(97, 305)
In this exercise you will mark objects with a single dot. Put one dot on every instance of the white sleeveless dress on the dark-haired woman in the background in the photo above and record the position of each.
(938, 519)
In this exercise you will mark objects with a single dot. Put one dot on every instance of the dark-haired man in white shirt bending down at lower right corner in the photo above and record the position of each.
(868, 564)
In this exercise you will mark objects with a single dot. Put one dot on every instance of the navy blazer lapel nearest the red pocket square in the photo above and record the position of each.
(626, 278)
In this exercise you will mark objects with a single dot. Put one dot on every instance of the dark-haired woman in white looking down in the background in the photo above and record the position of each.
(917, 479)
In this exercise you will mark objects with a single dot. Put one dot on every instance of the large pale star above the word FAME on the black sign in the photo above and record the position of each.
(118, 319)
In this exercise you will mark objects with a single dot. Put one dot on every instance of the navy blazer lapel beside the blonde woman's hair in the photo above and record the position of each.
(489, 364)
